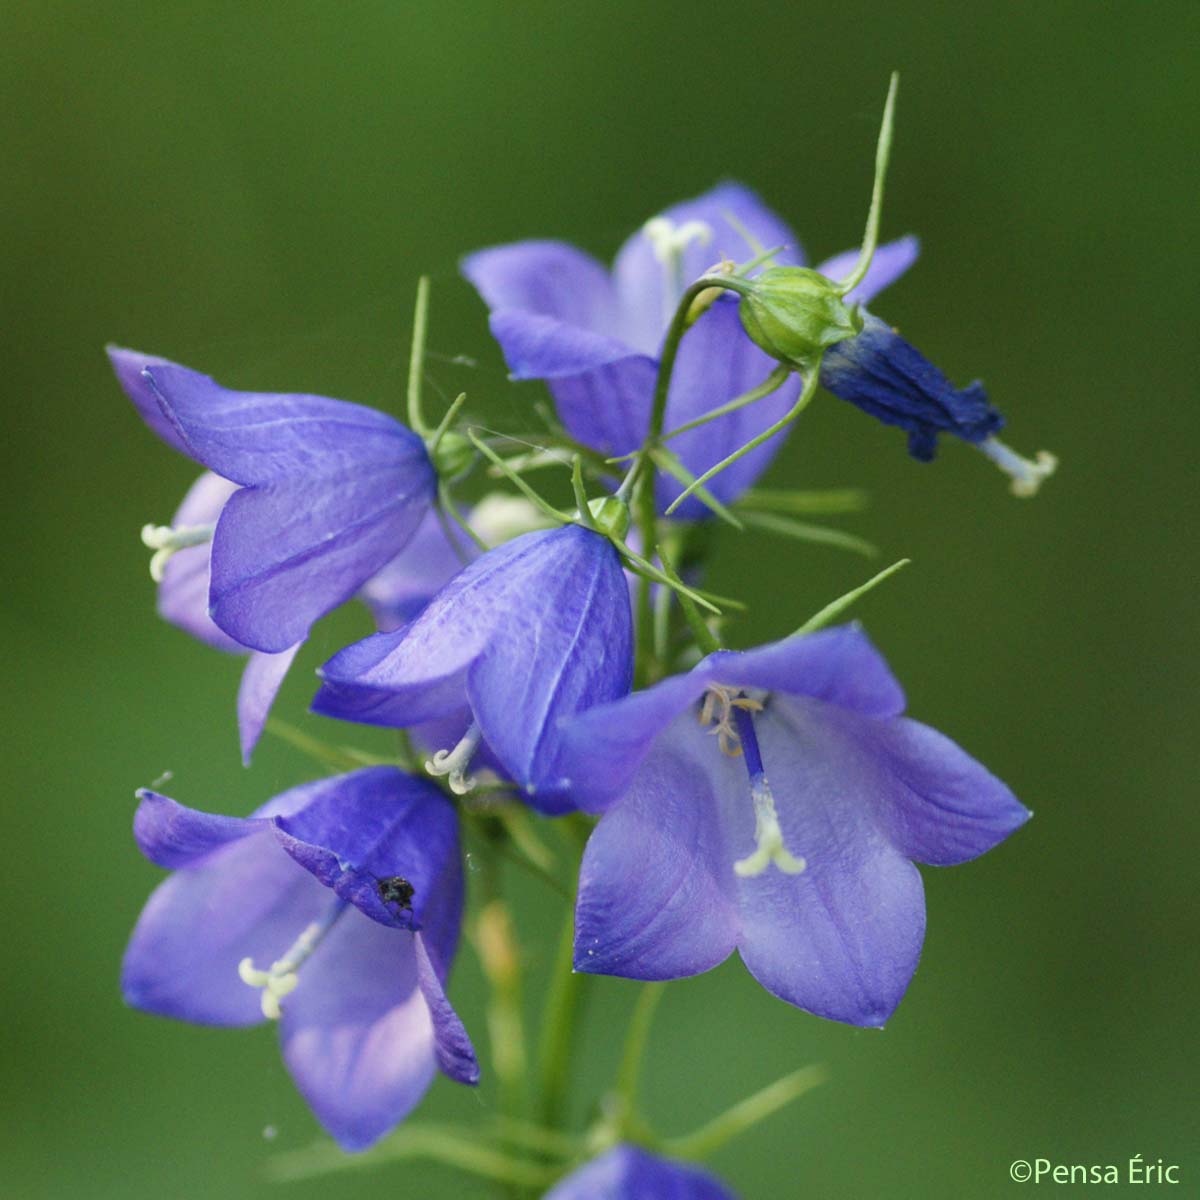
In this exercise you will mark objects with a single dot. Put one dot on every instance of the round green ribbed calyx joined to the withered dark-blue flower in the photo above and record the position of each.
(796, 314)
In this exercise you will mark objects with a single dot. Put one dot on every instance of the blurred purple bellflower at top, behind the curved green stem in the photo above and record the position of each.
(596, 337)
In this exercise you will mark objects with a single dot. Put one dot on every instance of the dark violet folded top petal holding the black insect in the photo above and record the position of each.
(374, 825)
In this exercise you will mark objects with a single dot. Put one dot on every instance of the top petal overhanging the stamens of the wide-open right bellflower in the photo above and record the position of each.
(838, 665)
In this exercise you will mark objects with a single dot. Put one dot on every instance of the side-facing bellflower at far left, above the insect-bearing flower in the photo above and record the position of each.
(328, 494)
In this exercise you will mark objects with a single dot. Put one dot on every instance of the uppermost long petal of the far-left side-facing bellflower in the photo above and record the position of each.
(265, 437)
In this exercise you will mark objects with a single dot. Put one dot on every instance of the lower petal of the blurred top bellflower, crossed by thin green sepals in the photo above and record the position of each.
(717, 364)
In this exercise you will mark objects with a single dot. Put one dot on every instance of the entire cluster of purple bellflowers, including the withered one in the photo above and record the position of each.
(772, 801)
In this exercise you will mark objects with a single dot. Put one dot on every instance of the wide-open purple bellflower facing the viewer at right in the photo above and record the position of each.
(790, 836)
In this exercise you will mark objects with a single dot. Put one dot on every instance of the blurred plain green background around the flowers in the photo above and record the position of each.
(254, 190)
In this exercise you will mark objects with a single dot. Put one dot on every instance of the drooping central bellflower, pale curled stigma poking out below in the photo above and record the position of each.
(532, 633)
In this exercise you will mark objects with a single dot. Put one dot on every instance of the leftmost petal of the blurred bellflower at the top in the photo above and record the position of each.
(548, 279)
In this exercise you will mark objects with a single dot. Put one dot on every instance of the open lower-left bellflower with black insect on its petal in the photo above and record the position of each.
(335, 910)
